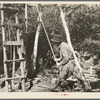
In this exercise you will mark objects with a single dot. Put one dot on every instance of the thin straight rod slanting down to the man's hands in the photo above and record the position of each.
(45, 31)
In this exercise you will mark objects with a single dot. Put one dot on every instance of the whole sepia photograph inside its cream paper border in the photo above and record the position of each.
(50, 47)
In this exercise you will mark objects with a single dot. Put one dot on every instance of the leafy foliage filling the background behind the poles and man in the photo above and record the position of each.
(83, 21)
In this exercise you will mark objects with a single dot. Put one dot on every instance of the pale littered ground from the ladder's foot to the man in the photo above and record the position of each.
(42, 83)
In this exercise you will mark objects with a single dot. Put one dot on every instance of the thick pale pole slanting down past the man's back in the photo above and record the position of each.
(68, 37)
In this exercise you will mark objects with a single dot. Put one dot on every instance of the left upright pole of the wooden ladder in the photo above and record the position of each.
(4, 49)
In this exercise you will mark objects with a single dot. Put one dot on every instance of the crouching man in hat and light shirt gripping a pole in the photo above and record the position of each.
(65, 60)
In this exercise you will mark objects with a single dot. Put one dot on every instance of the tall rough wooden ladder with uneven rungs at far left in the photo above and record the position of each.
(12, 43)
